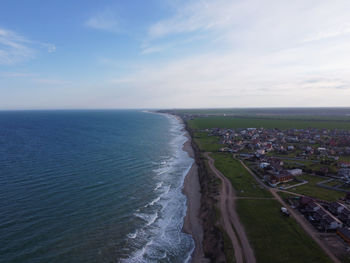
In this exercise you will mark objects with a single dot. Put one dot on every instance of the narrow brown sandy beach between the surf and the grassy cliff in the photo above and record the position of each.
(192, 190)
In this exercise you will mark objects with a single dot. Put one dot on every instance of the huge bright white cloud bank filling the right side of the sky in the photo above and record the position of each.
(263, 54)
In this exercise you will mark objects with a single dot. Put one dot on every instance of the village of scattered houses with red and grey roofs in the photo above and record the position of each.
(292, 158)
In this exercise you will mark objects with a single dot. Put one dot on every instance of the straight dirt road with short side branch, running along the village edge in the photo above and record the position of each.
(308, 228)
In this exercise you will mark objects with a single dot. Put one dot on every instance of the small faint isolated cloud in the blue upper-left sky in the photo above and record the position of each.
(105, 20)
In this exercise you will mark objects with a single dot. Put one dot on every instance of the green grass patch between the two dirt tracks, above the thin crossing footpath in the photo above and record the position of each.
(242, 181)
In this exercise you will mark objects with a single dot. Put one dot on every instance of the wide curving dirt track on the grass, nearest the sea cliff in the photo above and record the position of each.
(231, 223)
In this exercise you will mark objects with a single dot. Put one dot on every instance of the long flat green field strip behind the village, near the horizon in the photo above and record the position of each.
(284, 123)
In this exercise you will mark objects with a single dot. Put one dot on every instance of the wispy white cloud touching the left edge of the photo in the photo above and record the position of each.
(15, 48)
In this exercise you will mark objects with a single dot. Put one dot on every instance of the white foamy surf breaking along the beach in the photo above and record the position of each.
(163, 237)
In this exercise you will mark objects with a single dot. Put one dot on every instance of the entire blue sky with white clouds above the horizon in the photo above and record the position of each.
(86, 54)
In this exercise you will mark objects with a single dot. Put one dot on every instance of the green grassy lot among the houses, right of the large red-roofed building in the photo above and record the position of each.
(311, 189)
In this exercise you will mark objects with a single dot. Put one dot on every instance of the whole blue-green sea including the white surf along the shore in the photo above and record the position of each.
(92, 186)
